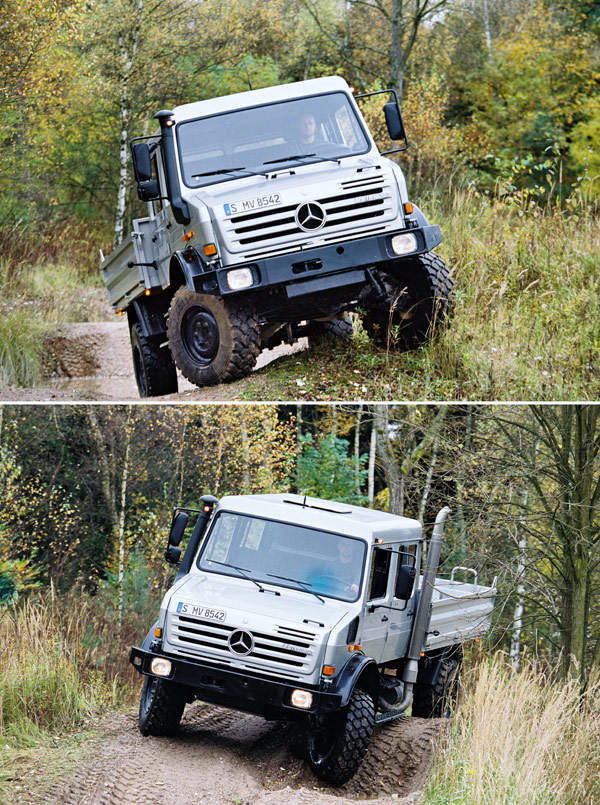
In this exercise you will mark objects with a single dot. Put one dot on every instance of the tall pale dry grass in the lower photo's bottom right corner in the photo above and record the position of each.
(519, 739)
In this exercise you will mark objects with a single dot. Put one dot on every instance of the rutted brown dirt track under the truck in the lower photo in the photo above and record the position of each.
(221, 756)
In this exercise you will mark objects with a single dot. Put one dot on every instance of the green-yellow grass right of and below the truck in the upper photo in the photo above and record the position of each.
(524, 325)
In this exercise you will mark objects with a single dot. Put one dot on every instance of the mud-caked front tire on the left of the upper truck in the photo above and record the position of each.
(235, 331)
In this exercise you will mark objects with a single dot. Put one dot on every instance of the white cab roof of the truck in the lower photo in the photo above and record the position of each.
(327, 515)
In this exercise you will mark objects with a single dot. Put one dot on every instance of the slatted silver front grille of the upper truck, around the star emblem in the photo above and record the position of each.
(361, 202)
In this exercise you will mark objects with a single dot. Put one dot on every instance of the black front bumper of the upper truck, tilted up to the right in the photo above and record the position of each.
(331, 268)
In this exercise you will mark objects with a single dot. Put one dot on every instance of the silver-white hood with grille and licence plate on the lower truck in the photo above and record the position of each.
(228, 621)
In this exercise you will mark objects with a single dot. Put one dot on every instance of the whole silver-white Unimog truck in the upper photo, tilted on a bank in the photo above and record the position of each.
(271, 213)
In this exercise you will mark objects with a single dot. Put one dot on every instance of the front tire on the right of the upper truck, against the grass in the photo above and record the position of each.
(416, 302)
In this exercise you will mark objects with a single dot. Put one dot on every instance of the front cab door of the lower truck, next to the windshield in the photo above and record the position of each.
(376, 618)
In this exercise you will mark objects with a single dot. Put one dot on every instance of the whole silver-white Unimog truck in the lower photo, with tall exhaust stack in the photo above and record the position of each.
(304, 609)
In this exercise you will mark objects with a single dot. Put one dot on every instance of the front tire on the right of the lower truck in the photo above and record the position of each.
(337, 747)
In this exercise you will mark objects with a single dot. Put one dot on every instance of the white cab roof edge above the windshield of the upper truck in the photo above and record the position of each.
(256, 97)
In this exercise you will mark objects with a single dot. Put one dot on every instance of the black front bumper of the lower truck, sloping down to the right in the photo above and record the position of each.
(240, 691)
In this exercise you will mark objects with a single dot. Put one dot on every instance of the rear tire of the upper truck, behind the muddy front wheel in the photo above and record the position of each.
(153, 364)
